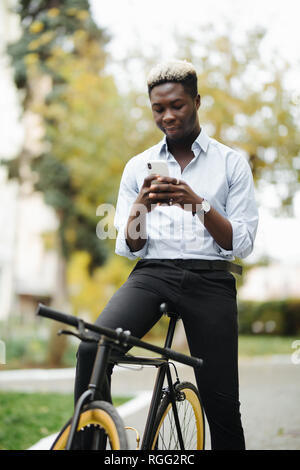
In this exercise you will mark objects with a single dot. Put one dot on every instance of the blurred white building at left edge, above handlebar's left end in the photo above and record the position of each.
(27, 266)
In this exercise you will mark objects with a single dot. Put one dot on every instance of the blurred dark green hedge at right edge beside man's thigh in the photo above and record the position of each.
(280, 317)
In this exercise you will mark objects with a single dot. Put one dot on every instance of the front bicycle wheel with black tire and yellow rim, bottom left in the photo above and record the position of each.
(104, 418)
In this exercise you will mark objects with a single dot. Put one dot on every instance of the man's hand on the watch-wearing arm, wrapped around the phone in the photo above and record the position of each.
(173, 191)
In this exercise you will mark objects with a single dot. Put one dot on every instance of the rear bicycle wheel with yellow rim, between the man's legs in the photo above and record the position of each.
(191, 417)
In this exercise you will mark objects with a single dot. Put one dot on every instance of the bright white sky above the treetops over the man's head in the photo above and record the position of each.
(150, 26)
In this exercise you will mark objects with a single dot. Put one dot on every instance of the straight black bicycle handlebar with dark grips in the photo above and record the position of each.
(48, 312)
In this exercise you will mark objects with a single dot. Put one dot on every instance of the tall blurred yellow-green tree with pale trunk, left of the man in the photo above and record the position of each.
(59, 63)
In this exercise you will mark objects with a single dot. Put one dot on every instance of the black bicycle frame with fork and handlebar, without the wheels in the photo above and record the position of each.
(107, 342)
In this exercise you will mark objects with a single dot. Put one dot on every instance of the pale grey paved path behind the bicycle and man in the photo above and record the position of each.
(269, 389)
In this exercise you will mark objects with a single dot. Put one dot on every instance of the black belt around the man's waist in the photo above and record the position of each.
(206, 264)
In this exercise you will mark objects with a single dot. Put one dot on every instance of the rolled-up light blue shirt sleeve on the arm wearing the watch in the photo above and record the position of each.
(241, 210)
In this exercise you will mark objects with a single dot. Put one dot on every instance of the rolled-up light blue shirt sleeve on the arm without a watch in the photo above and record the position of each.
(128, 193)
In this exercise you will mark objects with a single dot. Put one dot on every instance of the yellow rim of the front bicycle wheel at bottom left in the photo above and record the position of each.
(96, 417)
